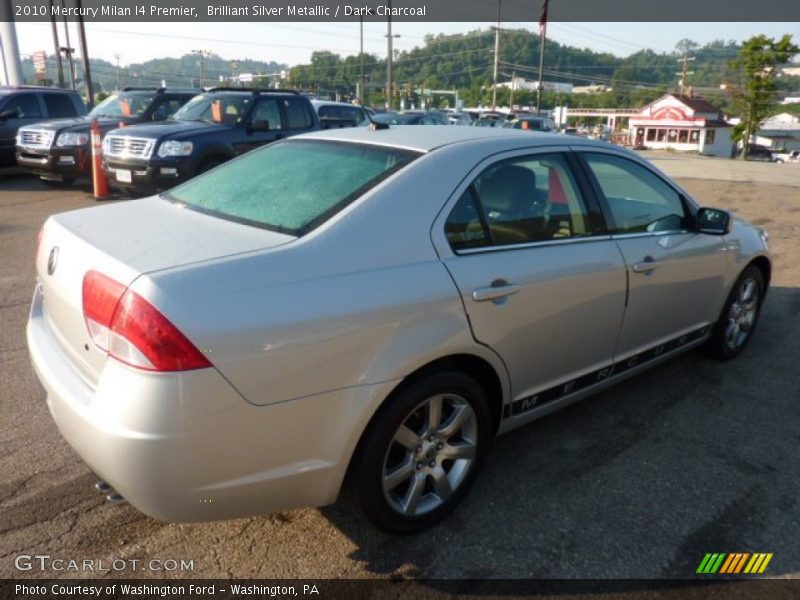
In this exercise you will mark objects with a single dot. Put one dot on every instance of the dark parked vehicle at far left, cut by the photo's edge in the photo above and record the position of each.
(25, 105)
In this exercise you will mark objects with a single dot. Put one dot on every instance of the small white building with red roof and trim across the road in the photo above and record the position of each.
(682, 123)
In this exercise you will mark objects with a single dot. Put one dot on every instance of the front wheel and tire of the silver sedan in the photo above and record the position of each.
(734, 329)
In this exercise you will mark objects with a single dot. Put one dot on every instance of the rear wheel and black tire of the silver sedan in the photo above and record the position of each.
(444, 480)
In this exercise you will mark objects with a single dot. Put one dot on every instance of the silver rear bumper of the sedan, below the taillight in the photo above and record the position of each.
(188, 447)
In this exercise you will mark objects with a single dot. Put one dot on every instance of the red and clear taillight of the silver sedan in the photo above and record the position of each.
(131, 330)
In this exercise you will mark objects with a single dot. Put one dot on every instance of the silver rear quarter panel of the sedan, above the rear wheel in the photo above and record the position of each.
(361, 300)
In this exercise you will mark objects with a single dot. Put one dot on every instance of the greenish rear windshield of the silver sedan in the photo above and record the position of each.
(292, 186)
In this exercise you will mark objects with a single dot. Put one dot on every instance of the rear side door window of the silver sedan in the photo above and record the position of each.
(517, 201)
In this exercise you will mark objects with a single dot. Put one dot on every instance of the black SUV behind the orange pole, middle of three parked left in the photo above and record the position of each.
(60, 151)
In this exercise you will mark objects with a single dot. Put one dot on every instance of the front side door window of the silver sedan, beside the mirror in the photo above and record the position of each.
(638, 199)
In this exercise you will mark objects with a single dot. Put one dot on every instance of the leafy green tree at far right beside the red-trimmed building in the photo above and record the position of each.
(757, 67)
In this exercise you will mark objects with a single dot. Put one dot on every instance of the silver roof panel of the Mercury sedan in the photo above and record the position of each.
(427, 138)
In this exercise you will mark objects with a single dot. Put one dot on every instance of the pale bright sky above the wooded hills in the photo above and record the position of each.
(293, 43)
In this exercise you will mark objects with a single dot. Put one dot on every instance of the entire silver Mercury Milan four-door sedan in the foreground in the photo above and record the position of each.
(366, 308)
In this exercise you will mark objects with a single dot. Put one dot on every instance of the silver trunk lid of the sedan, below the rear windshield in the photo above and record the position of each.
(123, 242)
